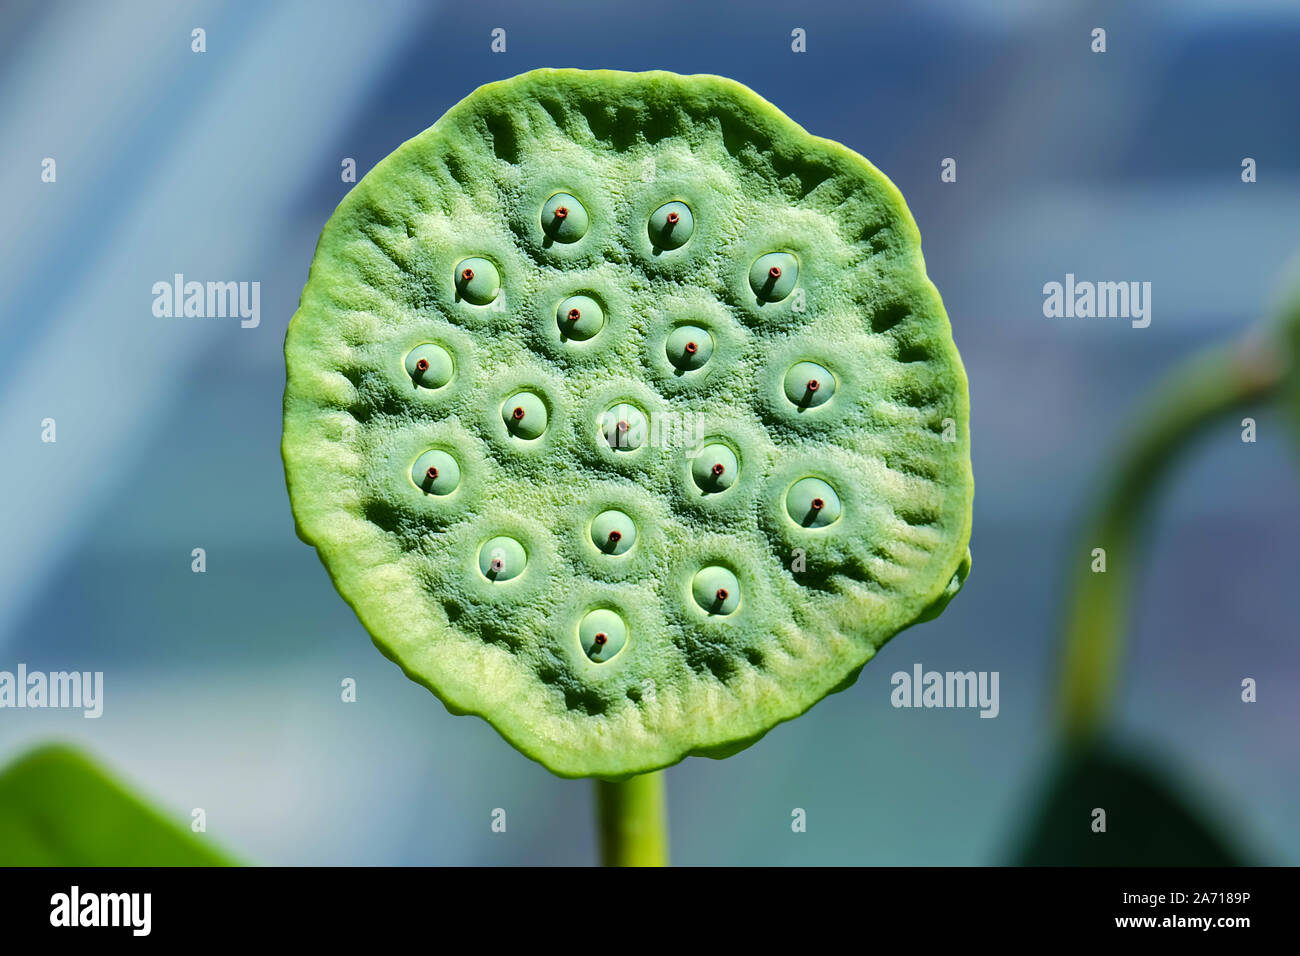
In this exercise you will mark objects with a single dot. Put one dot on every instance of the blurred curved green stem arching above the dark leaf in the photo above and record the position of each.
(1198, 393)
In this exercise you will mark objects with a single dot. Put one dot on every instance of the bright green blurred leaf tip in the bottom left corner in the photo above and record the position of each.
(58, 808)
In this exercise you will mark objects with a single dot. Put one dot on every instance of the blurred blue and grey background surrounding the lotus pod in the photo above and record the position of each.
(223, 689)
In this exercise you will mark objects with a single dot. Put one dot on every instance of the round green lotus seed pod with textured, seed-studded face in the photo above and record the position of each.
(727, 615)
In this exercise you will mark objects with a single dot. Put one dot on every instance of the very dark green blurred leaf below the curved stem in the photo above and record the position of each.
(1150, 821)
